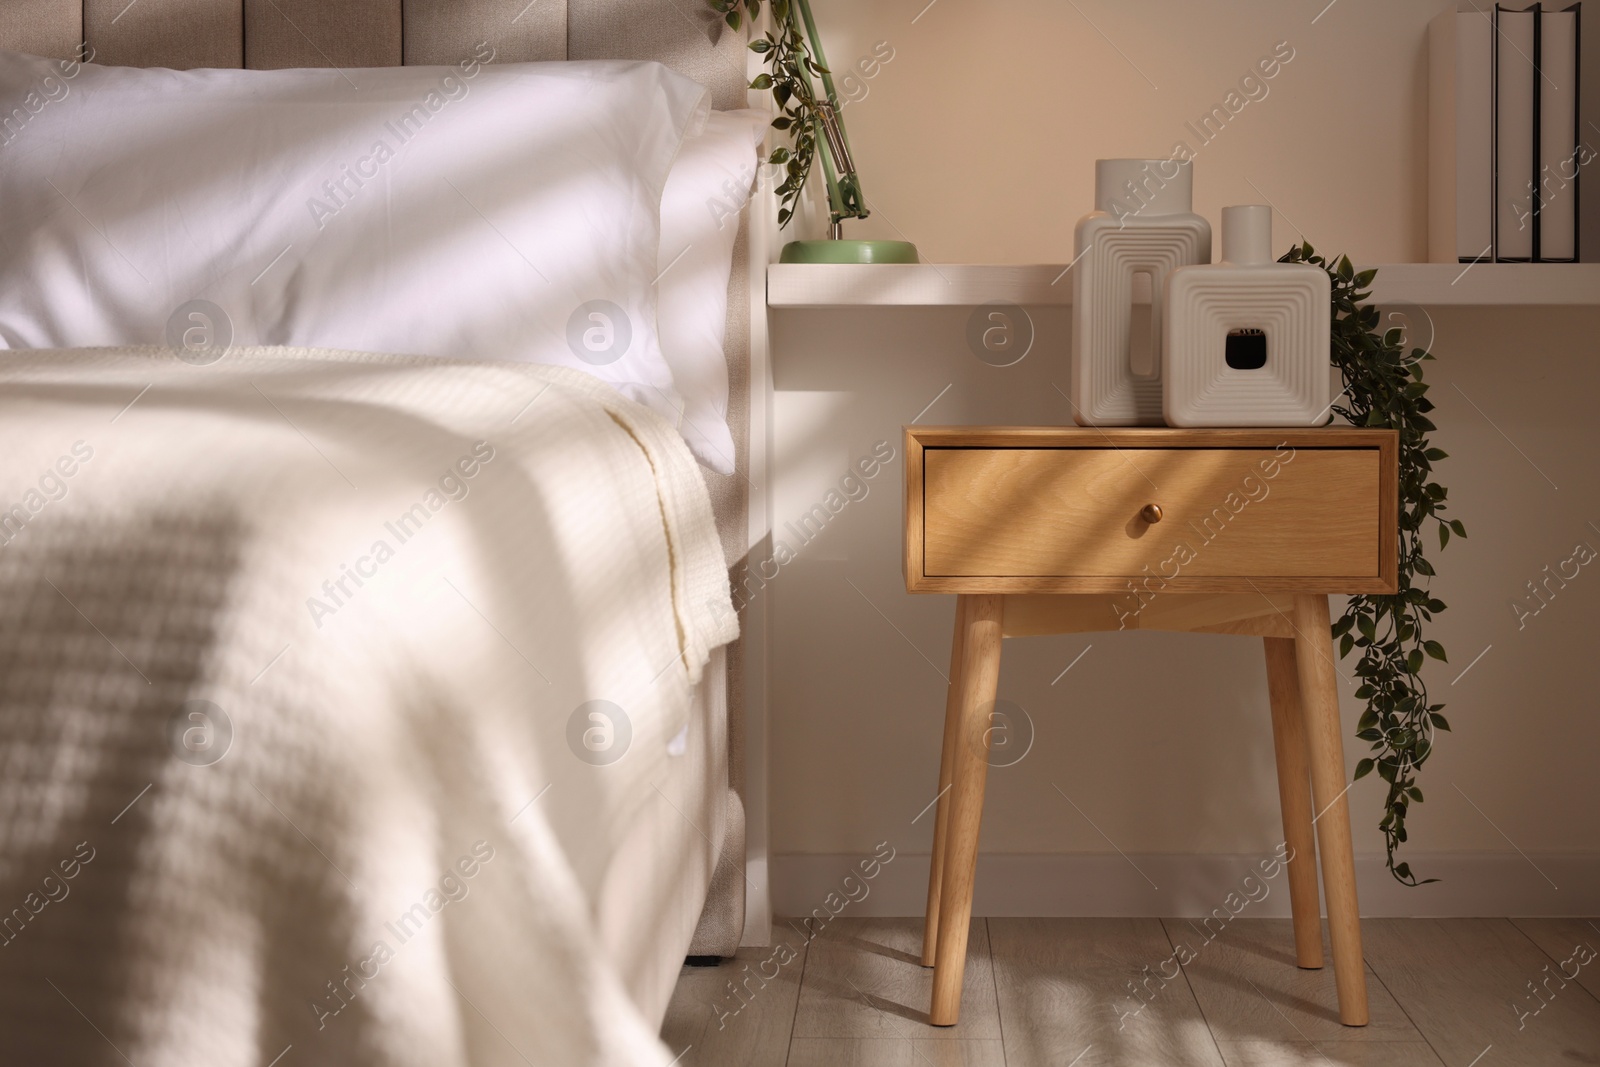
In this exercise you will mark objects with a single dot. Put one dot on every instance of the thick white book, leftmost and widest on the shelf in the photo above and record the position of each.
(1462, 137)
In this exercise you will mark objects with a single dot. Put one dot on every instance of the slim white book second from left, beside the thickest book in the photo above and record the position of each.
(1516, 114)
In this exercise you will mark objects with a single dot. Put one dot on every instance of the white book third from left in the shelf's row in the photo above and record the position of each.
(1559, 156)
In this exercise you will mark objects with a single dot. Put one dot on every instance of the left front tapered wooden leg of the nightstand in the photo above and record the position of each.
(969, 773)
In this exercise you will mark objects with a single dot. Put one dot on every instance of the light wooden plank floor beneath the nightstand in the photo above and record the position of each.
(1090, 993)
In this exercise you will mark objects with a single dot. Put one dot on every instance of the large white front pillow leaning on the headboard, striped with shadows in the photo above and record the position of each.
(471, 212)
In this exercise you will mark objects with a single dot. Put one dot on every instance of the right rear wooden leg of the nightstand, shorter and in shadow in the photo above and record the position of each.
(1289, 740)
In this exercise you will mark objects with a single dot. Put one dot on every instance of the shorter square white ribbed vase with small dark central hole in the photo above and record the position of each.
(1246, 340)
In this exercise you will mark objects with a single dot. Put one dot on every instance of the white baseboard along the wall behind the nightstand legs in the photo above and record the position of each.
(1193, 885)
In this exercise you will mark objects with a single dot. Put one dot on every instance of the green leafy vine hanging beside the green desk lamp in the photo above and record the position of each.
(788, 54)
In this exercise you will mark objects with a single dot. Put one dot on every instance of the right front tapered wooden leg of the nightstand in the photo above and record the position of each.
(1326, 746)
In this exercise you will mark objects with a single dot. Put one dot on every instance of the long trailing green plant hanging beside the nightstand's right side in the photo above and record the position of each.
(1385, 390)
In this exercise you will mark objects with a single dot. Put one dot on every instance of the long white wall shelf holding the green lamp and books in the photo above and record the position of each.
(959, 286)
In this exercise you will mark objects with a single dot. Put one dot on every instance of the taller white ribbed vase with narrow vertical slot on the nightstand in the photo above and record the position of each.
(1142, 225)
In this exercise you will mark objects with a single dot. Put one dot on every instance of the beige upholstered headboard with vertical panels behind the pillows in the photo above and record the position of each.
(270, 34)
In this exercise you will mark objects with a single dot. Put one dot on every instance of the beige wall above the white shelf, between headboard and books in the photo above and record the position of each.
(978, 140)
